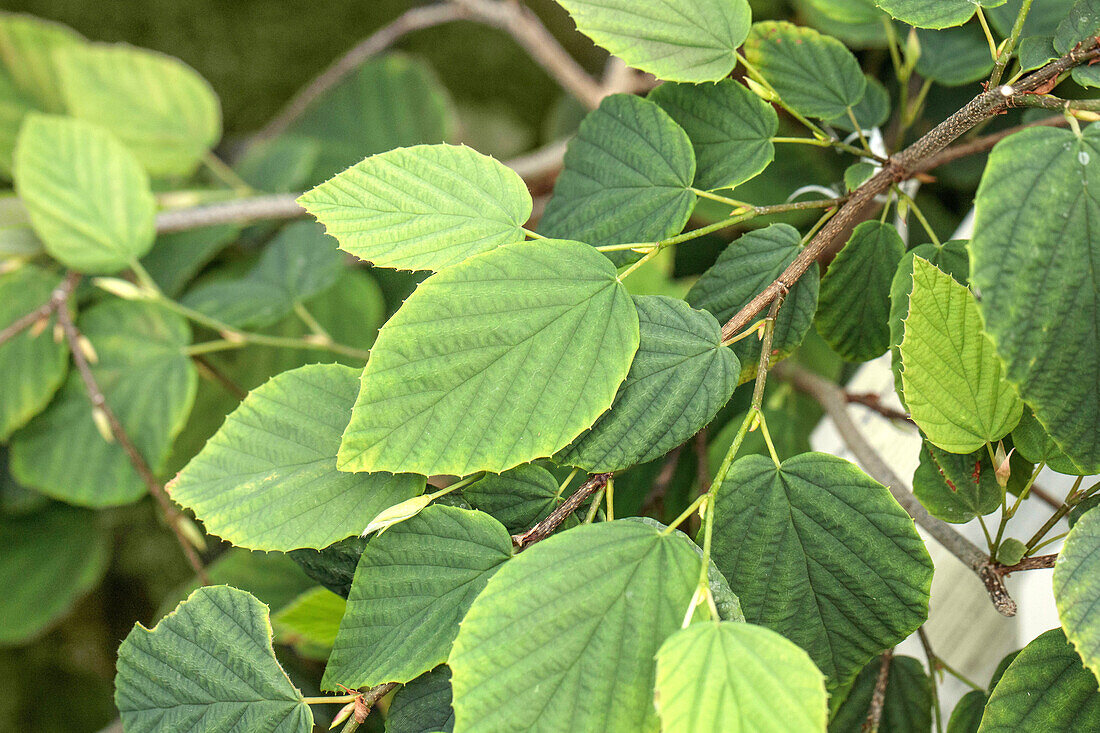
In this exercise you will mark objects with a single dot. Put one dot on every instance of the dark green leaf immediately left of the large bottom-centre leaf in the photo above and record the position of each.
(413, 587)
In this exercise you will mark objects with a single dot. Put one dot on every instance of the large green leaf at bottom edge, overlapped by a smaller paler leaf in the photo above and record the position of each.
(584, 612)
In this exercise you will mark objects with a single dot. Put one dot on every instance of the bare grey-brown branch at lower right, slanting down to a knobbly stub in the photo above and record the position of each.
(833, 402)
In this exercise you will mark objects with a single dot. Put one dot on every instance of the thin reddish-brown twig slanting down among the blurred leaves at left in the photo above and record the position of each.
(172, 516)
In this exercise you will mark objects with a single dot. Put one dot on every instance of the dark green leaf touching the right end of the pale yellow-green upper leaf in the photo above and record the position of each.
(628, 178)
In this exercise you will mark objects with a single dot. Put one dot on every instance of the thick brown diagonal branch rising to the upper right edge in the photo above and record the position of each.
(904, 166)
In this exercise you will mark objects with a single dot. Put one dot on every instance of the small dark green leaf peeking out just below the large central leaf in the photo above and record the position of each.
(519, 499)
